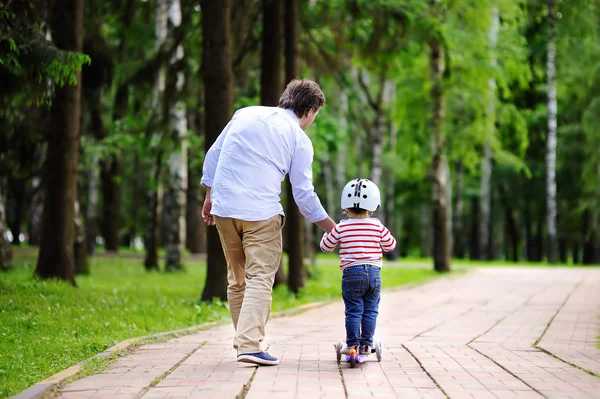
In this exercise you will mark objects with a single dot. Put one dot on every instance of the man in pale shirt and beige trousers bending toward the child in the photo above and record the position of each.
(243, 172)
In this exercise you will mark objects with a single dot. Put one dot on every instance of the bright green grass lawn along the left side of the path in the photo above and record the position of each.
(47, 326)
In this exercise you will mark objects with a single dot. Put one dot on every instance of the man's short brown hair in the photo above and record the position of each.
(302, 95)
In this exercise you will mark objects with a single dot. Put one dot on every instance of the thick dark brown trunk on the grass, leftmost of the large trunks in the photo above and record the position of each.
(56, 251)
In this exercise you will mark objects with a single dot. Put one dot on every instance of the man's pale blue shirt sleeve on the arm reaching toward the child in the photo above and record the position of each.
(302, 186)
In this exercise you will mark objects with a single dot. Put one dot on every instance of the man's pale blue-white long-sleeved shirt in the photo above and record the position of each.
(249, 160)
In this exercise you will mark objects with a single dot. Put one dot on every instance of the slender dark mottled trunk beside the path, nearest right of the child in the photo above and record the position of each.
(439, 169)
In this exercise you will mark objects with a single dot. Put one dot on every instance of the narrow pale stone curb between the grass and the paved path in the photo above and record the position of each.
(43, 388)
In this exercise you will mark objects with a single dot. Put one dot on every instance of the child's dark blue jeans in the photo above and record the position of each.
(361, 290)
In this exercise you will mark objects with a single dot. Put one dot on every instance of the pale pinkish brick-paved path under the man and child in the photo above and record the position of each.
(493, 333)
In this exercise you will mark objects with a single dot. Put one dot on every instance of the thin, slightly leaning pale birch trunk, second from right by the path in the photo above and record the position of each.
(486, 168)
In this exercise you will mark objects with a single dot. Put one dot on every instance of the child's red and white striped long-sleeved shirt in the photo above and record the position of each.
(361, 241)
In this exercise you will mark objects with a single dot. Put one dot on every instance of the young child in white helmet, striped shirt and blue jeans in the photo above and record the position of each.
(361, 239)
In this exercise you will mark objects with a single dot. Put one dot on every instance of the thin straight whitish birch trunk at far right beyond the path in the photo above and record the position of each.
(551, 140)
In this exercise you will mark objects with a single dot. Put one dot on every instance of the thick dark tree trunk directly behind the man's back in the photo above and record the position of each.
(217, 112)
